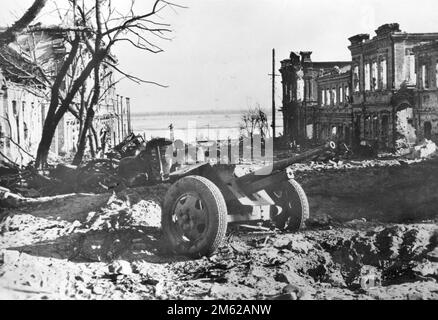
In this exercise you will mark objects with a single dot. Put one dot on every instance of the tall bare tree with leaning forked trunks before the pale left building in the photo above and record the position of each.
(106, 30)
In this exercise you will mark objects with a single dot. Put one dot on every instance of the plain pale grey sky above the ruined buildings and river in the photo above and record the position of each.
(220, 55)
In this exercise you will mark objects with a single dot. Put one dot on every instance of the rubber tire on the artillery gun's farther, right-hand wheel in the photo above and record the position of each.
(294, 218)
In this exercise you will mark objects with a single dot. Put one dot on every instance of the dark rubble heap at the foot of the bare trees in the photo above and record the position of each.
(98, 175)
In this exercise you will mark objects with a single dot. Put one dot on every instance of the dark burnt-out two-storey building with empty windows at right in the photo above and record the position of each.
(386, 96)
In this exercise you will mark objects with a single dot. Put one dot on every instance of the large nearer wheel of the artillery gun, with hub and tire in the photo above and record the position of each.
(194, 217)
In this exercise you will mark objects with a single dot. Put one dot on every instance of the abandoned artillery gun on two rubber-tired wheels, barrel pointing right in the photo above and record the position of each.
(204, 199)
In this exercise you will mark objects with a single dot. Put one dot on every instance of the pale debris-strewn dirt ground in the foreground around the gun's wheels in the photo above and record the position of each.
(116, 252)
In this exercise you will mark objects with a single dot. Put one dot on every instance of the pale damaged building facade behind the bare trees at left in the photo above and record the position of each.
(26, 68)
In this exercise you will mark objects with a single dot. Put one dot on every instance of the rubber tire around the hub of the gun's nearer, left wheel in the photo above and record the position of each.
(216, 207)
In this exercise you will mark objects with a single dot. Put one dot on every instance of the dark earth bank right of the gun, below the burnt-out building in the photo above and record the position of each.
(399, 192)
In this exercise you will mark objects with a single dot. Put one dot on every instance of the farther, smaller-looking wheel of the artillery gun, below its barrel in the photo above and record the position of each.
(291, 208)
